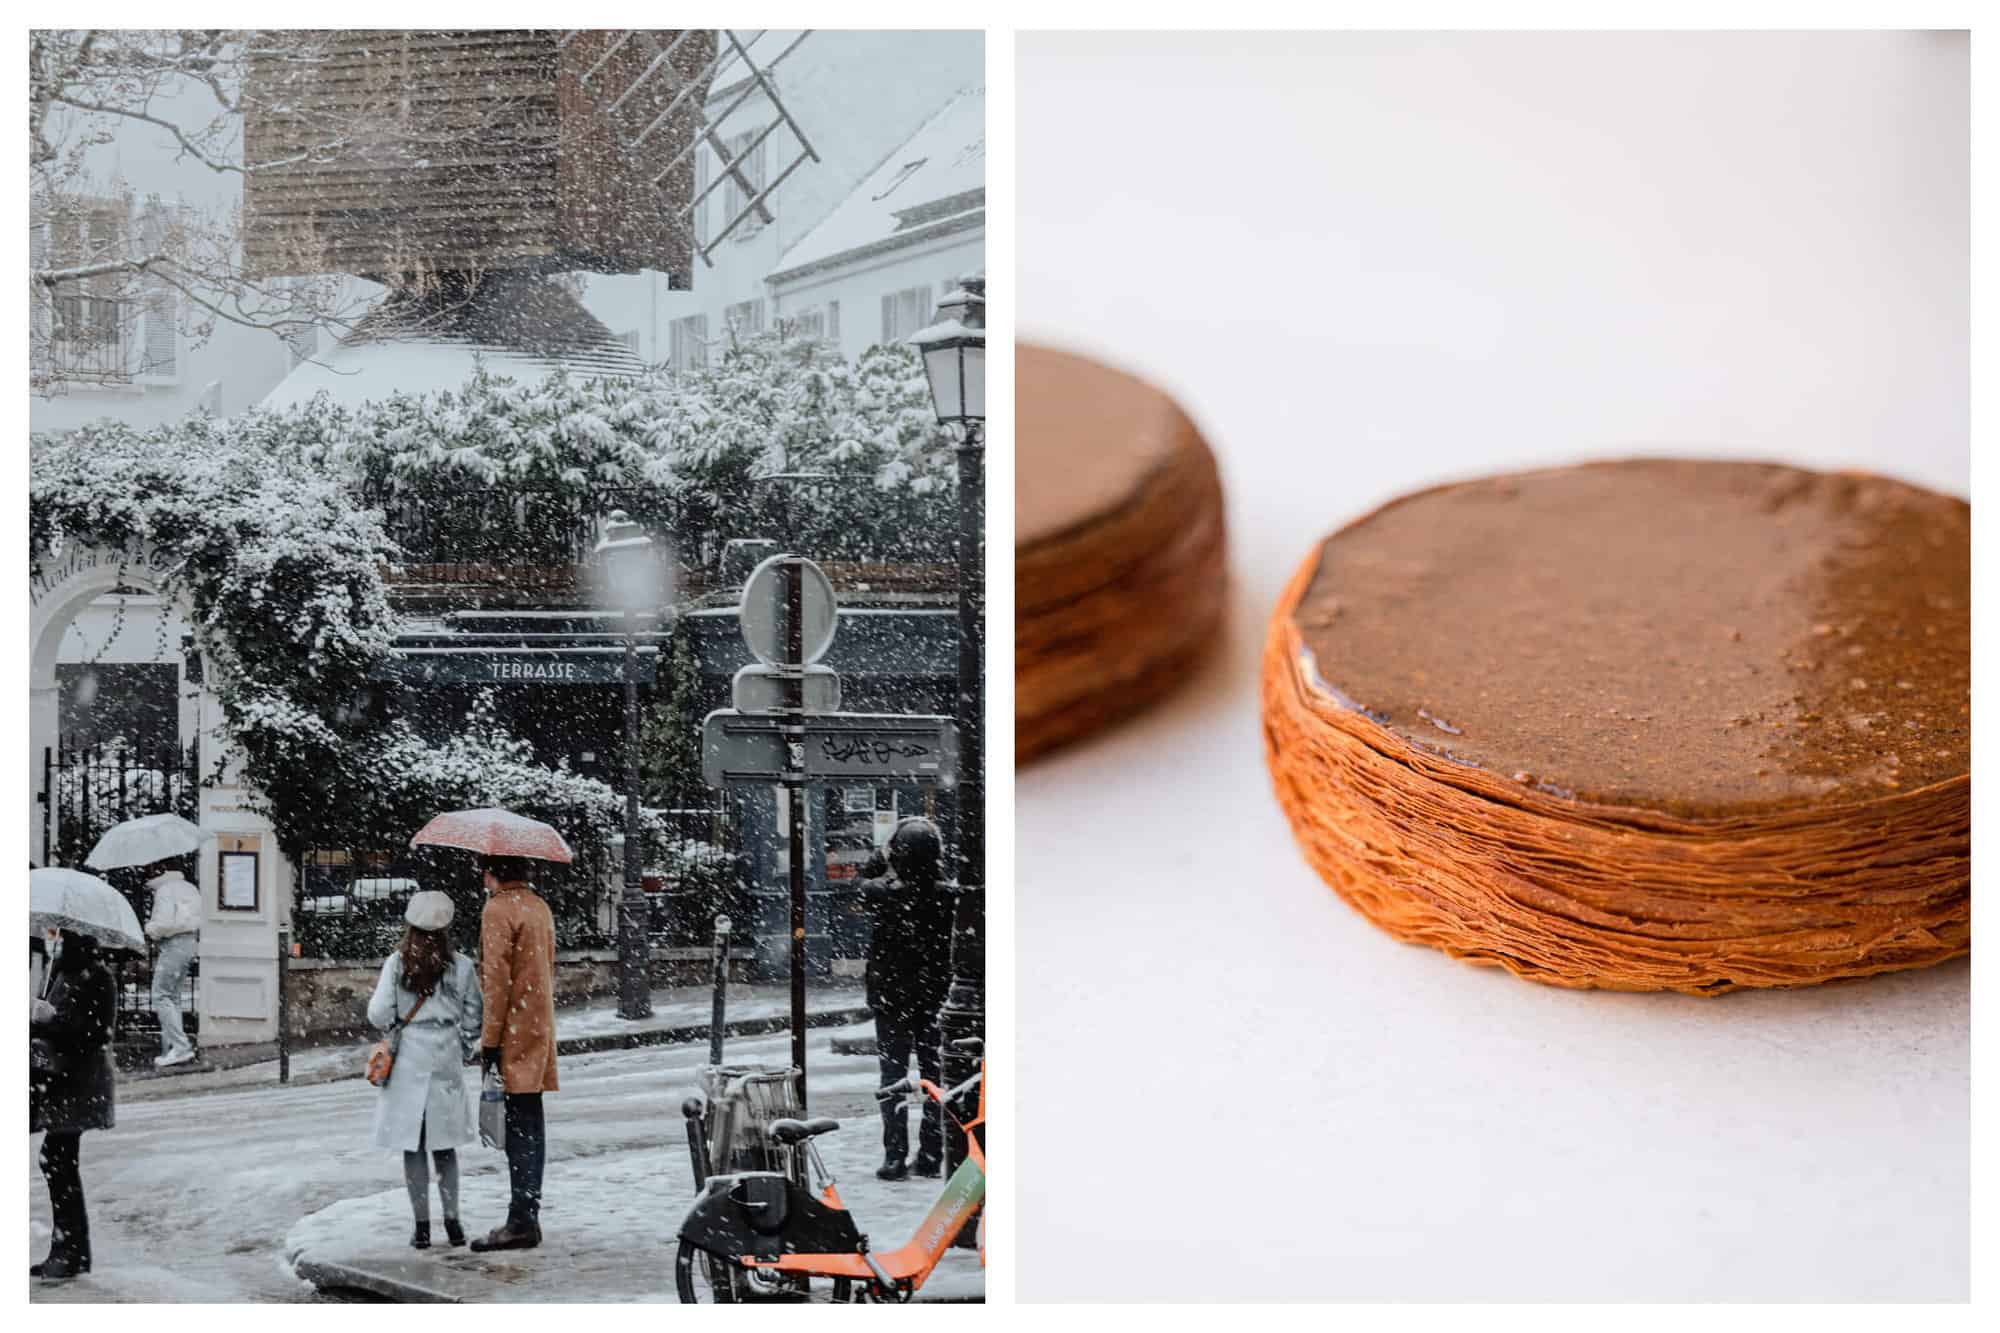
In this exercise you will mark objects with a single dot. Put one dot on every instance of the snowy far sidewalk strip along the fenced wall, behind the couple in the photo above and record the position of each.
(679, 1014)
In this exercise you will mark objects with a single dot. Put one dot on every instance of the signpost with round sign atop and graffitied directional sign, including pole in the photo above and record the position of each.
(787, 730)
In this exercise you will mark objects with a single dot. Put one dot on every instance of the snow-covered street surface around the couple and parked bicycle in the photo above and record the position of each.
(207, 1198)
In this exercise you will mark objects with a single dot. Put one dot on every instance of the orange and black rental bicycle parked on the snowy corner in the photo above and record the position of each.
(761, 1236)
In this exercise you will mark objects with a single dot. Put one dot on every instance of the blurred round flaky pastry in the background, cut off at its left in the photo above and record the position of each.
(1117, 547)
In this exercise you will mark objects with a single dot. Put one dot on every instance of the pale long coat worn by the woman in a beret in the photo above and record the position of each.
(427, 1088)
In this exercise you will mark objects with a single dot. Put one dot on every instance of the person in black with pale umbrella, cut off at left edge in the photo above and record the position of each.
(71, 1086)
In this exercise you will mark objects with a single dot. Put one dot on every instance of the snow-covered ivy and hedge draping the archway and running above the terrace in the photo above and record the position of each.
(259, 523)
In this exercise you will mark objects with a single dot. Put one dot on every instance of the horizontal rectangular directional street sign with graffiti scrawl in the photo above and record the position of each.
(759, 750)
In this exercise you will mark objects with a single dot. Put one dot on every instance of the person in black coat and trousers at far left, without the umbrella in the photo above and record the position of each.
(71, 1090)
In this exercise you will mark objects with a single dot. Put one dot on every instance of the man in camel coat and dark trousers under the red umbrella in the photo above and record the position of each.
(519, 1036)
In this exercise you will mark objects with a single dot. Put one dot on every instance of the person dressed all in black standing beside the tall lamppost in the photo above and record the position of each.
(909, 974)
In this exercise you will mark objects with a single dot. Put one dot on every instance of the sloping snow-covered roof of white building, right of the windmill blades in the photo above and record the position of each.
(933, 185)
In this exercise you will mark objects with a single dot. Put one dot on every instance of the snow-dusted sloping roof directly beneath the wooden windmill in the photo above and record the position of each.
(513, 325)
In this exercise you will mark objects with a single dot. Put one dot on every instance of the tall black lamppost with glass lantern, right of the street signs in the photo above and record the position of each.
(955, 361)
